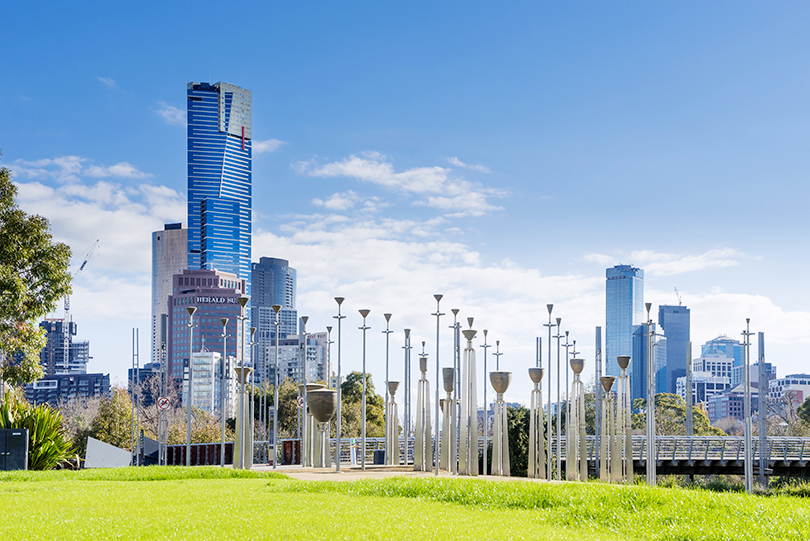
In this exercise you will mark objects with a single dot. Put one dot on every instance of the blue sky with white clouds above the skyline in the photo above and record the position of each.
(501, 154)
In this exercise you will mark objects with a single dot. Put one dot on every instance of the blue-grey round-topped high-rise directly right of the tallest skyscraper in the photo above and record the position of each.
(273, 282)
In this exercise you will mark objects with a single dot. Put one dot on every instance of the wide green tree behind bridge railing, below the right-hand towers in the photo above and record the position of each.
(670, 417)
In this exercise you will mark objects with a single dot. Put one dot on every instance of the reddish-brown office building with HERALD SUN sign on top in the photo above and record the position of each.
(214, 294)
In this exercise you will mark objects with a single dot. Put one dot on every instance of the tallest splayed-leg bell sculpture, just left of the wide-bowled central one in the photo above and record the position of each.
(468, 430)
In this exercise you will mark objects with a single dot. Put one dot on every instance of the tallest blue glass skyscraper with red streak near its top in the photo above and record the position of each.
(220, 199)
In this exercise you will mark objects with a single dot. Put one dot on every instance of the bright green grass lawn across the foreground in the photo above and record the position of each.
(205, 503)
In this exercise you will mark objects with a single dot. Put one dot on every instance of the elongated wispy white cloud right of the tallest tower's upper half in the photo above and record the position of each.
(455, 196)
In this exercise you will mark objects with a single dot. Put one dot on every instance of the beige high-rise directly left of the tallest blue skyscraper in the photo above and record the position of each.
(169, 257)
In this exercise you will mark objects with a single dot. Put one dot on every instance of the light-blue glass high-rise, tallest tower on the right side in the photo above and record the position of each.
(624, 310)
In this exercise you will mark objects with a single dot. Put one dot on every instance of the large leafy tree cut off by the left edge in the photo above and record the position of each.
(33, 277)
